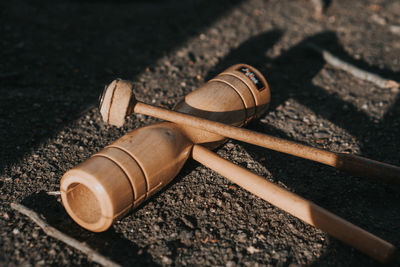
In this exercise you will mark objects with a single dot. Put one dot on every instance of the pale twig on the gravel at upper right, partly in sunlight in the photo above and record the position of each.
(353, 70)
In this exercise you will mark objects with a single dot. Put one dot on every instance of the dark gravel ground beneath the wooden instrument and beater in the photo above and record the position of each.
(57, 56)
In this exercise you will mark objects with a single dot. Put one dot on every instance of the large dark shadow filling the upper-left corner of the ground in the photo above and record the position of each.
(56, 57)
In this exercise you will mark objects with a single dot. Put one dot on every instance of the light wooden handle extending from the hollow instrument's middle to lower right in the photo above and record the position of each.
(297, 206)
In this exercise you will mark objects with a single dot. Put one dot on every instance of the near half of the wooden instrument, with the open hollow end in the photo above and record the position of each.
(124, 174)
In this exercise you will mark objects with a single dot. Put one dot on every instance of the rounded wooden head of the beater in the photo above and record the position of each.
(116, 102)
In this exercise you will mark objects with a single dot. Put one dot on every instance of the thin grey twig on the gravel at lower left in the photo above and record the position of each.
(53, 232)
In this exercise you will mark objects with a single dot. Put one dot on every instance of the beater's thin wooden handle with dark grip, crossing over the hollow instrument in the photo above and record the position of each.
(349, 163)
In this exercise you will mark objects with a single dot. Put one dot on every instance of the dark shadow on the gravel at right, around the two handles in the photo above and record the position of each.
(373, 204)
